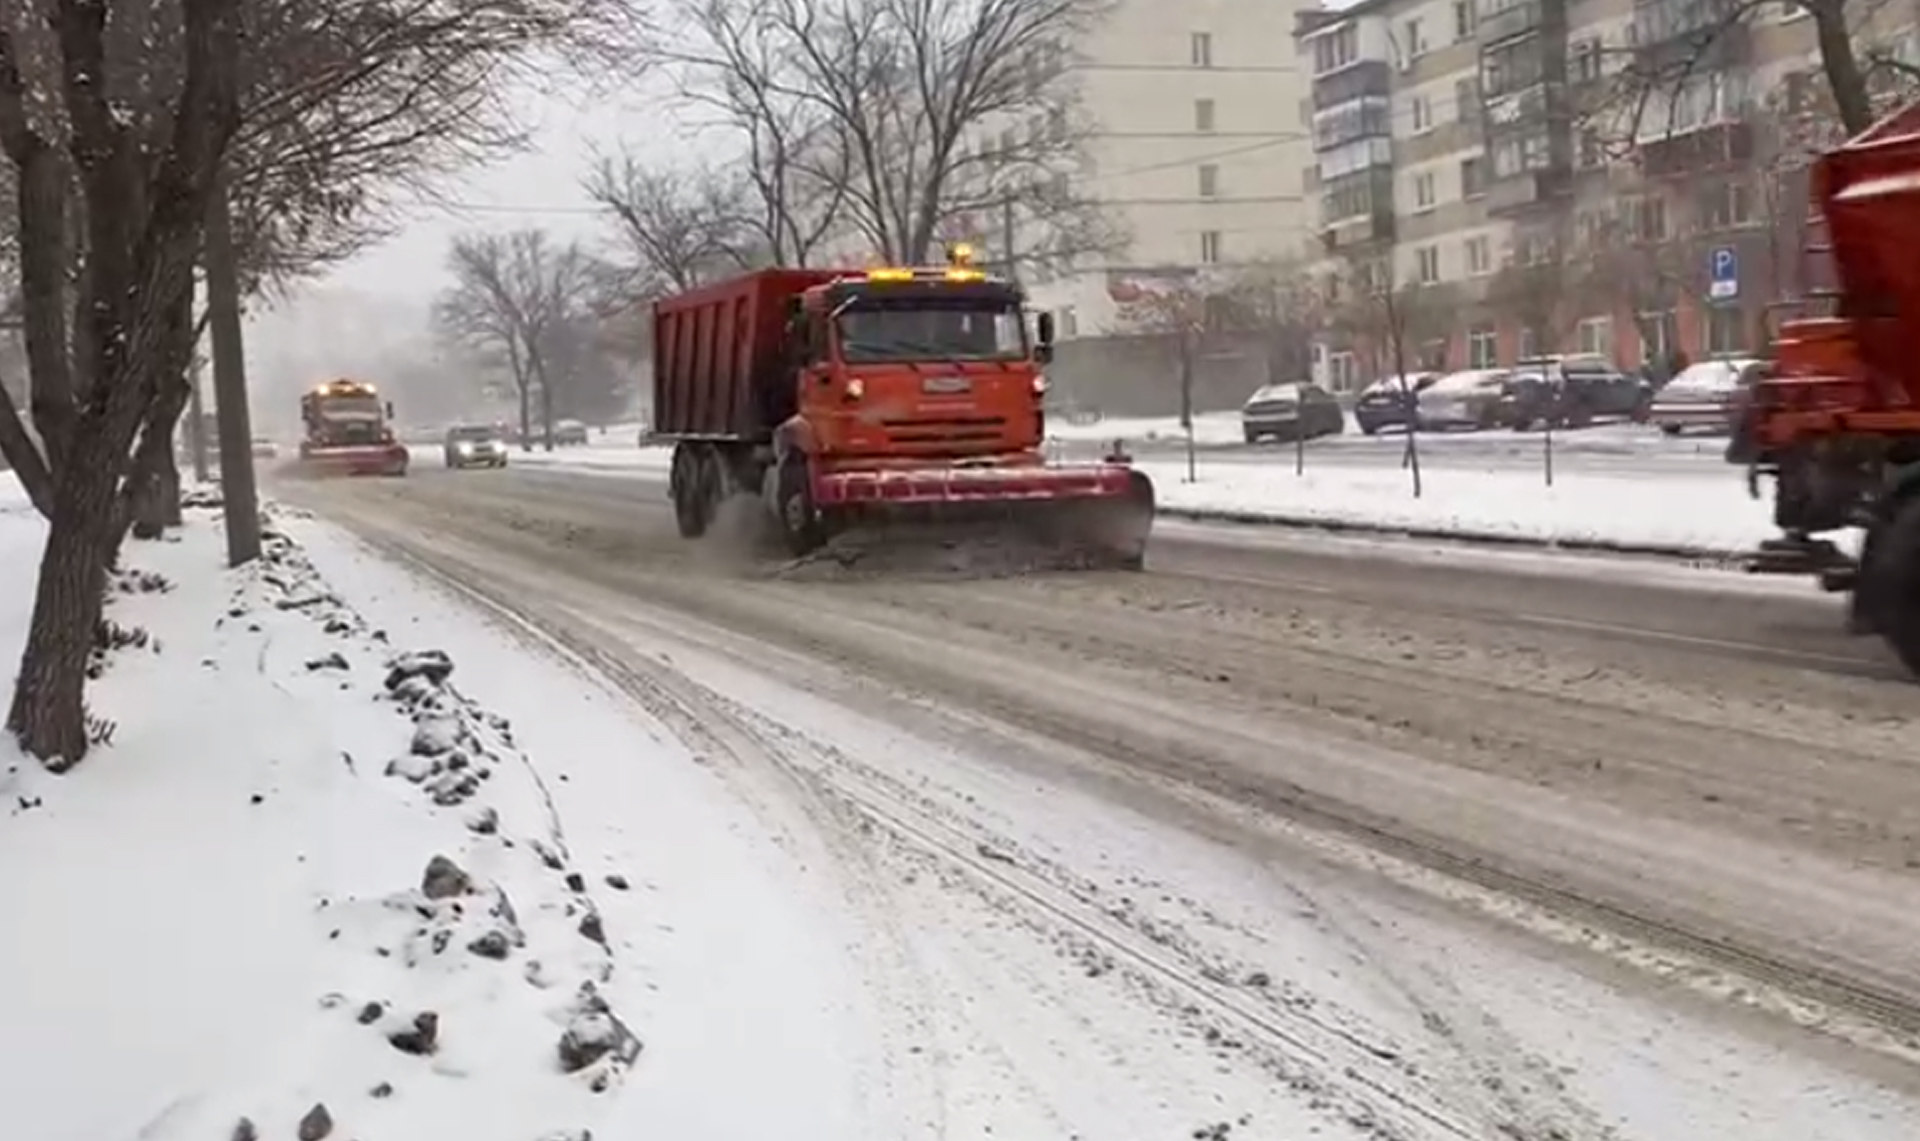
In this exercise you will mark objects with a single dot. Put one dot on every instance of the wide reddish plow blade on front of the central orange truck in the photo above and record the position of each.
(1093, 518)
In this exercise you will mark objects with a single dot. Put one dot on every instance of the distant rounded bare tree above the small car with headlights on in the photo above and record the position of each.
(512, 293)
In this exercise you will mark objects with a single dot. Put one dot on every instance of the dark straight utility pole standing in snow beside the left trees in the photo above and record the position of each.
(239, 497)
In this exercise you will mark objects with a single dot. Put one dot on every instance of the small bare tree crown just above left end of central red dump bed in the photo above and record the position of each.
(679, 228)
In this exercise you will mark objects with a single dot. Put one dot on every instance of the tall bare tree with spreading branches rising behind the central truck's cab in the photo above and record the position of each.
(928, 116)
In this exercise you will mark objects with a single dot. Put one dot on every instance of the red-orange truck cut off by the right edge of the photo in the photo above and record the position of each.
(1836, 420)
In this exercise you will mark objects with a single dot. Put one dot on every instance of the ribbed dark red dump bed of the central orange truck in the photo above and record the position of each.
(717, 352)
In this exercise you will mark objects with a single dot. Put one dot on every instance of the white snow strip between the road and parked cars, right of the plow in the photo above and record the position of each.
(1708, 512)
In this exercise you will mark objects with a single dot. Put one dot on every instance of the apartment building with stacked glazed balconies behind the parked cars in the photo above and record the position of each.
(1595, 174)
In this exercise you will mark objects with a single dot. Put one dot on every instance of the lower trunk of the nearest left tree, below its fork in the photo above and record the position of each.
(49, 714)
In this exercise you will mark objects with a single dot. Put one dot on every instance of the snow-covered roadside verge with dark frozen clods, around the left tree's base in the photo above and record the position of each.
(310, 879)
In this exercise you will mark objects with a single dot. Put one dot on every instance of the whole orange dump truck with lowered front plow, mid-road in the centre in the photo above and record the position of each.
(850, 399)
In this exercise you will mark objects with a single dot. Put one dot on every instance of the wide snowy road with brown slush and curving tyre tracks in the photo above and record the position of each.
(1452, 846)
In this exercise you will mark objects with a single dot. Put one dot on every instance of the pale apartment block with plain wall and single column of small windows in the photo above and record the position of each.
(1195, 155)
